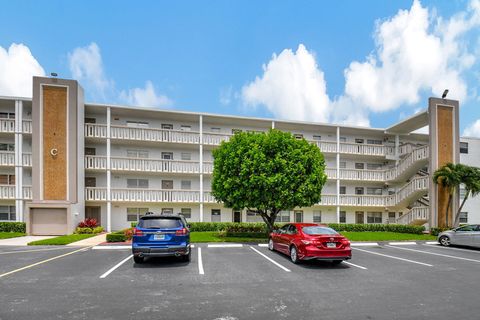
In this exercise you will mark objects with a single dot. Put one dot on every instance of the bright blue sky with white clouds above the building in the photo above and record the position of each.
(206, 55)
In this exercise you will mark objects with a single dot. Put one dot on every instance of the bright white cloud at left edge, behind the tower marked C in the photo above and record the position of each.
(18, 66)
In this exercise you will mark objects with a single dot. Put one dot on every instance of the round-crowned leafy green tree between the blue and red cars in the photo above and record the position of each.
(267, 173)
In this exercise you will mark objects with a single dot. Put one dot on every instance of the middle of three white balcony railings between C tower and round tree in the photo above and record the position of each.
(142, 165)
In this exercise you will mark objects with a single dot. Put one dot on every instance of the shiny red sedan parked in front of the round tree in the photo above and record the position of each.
(306, 241)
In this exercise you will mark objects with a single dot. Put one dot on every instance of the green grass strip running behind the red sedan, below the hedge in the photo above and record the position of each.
(213, 236)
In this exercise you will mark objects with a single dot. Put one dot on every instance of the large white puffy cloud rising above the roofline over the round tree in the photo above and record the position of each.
(291, 87)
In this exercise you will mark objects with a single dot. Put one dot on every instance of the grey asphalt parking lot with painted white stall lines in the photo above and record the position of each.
(406, 281)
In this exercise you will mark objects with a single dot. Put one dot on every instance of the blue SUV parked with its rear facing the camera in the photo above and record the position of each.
(161, 236)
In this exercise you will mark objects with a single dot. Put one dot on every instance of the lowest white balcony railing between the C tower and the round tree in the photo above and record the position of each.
(143, 195)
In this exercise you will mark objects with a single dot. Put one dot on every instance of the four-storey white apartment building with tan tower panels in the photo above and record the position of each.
(62, 160)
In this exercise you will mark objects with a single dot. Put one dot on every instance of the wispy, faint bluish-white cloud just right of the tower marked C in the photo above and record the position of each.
(86, 66)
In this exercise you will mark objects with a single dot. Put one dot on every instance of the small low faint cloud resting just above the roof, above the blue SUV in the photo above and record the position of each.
(145, 97)
